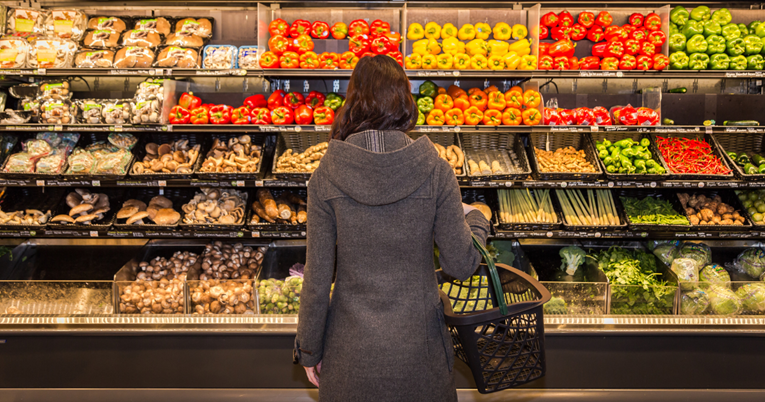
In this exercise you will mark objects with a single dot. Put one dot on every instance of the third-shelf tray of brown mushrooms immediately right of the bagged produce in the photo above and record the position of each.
(176, 159)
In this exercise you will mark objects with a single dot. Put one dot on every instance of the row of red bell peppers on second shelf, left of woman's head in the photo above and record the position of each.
(279, 108)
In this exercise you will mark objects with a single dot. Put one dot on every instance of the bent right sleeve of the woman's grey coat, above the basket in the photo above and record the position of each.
(457, 256)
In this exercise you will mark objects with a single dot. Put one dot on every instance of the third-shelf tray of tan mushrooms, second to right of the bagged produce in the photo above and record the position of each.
(231, 156)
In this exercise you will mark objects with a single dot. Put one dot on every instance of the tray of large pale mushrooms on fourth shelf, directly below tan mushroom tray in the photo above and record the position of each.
(215, 208)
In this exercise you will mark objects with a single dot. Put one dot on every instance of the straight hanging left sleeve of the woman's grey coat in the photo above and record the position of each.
(319, 268)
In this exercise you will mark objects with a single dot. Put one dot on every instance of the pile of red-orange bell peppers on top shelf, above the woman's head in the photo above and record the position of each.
(291, 46)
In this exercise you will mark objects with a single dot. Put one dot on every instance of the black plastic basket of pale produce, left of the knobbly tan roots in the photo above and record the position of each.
(501, 144)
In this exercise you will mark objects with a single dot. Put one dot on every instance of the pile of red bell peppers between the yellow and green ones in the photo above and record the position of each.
(635, 45)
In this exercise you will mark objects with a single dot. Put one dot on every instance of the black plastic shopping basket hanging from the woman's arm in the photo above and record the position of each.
(495, 319)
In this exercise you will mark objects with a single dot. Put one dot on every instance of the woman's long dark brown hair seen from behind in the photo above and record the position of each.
(378, 98)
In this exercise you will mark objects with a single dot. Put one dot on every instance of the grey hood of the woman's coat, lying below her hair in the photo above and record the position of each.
(379, 178)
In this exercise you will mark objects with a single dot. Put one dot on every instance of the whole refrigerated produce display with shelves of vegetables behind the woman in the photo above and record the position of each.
(154, 163)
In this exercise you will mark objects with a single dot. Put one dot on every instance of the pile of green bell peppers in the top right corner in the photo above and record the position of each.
(705, 40)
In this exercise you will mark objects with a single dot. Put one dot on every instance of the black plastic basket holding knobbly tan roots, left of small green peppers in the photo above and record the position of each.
(553, 141)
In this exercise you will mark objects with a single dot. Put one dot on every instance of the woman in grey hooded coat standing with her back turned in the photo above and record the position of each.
(382, 199)
